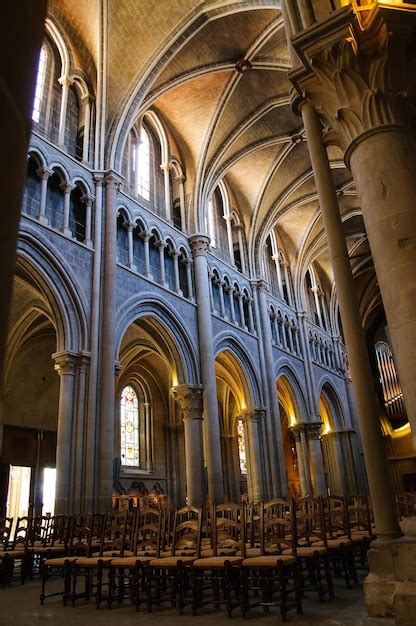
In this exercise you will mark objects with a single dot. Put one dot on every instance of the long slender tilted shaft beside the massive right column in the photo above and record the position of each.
(381, 492)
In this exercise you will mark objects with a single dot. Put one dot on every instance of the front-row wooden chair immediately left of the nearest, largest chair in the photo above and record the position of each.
(221, 567)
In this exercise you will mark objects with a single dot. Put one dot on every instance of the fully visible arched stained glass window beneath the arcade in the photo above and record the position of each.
(129, 427)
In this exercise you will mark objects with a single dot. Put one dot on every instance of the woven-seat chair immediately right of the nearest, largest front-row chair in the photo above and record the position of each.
(314, 560)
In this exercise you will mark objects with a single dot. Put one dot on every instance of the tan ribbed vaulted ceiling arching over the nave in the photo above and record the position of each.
(180, 58)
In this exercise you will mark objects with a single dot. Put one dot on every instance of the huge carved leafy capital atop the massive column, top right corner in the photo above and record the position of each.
(358, 70)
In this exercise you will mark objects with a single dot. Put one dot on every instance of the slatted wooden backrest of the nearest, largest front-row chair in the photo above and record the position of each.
(278, 527)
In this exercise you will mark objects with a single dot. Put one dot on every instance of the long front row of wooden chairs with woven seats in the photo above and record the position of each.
(266, 554)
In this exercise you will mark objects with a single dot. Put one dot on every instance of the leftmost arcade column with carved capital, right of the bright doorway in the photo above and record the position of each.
(65, 365)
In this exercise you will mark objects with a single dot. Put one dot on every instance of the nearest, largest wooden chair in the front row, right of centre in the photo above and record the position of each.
(273, 573)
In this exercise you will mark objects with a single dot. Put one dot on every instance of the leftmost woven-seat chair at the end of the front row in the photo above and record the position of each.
(79, 544)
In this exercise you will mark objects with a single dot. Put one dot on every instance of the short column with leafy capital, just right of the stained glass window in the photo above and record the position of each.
(189, 398)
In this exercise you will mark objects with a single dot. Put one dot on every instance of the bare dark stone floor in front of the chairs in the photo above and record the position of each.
(19, 605)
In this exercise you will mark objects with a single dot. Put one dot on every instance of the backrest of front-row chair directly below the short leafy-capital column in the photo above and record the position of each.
(187, 531)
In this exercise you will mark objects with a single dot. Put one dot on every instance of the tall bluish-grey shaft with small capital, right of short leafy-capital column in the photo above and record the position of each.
(199, 246)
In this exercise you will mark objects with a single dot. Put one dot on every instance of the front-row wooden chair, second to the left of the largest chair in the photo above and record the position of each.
(169, 576)
